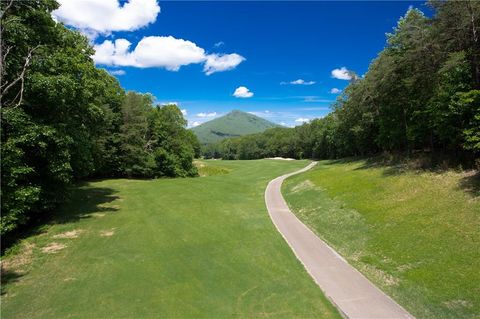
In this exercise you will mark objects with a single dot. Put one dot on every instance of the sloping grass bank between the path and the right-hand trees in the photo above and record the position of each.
(415, 234)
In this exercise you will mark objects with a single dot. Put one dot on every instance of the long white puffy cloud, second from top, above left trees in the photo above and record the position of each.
(162, 52)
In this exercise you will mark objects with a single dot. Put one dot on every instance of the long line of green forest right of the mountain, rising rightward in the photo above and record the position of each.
(421, 94)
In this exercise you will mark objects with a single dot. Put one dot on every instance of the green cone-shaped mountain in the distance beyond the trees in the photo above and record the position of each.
(236, 123)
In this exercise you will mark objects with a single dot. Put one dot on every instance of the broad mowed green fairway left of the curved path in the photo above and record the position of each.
(169, 248)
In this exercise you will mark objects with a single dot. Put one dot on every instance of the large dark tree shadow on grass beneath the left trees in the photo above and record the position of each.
(83, 202)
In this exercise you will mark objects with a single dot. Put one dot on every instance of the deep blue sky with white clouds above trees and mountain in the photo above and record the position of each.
(262, 46)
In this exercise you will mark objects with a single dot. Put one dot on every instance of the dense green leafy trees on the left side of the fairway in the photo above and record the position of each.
(64, 120)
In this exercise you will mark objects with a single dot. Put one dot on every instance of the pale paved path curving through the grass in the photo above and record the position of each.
(353, 294)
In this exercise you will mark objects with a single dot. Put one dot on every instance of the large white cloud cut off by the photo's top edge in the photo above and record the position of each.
(105, 16)
